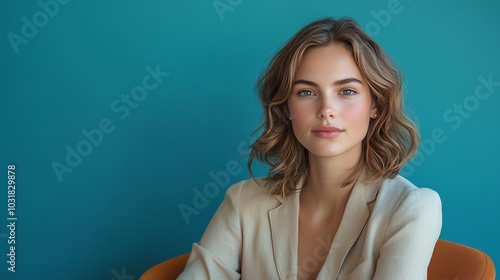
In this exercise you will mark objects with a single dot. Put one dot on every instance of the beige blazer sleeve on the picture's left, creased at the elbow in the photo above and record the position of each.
(218, 254)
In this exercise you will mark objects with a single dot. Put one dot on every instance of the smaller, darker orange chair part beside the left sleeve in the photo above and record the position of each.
(167, 270)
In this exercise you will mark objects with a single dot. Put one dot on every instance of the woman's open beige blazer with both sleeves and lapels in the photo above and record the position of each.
(388, 231)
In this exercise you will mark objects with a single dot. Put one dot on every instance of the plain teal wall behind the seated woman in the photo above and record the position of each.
(116, 214)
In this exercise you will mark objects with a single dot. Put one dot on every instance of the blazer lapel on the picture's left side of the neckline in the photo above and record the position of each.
(284, 234)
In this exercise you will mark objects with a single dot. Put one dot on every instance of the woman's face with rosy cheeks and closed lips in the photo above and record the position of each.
(330, 105)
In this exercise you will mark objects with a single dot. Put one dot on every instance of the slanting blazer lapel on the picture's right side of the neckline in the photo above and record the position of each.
(355, 217)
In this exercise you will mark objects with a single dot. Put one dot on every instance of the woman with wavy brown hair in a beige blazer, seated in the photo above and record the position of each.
(332, 206)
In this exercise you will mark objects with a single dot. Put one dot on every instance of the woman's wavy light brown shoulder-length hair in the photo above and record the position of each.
(392, 138)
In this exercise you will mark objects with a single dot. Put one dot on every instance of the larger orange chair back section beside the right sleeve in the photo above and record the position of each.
(453, 261)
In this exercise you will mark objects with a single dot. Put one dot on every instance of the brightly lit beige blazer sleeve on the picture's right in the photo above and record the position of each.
(410, 238)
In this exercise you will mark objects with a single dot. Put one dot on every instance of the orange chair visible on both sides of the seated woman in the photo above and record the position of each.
(450, 261)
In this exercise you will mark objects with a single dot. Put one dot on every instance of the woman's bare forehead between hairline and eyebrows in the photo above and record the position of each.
(332, 62)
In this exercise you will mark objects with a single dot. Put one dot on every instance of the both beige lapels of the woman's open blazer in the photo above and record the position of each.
(284, 221)
